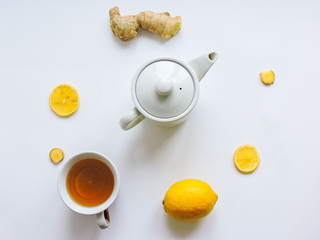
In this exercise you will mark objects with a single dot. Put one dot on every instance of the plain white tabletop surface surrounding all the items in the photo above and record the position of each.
(45, 43)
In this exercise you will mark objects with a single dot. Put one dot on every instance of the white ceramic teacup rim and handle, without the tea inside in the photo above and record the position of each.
(101, 211)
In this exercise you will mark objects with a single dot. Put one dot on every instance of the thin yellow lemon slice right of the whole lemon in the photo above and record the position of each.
(246, 158)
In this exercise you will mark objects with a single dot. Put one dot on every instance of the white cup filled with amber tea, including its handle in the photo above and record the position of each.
(88, 184)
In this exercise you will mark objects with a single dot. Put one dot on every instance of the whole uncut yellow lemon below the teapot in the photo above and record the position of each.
(189, 200)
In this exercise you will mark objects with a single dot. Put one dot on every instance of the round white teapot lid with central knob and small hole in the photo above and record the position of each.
(165, 89)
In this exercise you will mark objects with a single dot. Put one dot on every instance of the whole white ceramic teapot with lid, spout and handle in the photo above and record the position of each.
(166, 90)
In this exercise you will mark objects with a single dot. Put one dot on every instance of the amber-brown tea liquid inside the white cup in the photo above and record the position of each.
(90, 182)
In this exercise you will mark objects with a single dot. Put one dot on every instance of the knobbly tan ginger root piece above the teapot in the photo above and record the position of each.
(127, 27)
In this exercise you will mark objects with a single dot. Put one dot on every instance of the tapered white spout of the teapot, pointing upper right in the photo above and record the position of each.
(202, 64)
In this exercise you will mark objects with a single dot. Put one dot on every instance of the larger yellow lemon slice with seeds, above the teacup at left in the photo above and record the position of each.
(64, 100)
